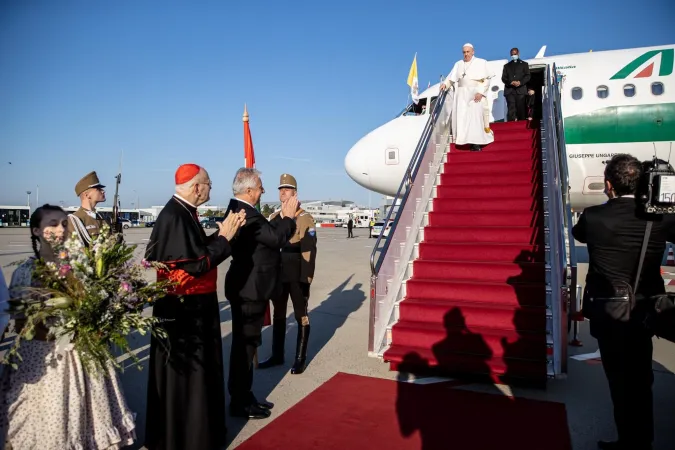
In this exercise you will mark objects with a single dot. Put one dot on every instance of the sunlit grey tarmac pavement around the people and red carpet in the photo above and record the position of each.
(338, 342)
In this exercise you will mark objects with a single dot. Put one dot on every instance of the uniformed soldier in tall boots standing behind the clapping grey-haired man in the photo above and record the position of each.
(298, 259)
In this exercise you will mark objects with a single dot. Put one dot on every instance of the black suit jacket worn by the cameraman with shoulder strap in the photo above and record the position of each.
(614, 233)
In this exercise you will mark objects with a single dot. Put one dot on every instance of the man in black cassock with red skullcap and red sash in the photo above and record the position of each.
(186, 395)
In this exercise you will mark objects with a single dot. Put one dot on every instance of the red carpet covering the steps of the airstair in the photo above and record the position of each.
(475, 304)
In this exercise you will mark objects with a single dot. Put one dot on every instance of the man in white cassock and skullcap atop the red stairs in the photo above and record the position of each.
(471, 109)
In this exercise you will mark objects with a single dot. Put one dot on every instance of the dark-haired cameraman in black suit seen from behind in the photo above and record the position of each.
(614, 233)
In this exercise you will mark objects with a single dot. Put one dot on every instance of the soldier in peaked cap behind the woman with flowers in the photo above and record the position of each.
(86, 221)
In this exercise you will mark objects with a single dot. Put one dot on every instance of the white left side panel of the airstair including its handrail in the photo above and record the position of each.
(384, 292)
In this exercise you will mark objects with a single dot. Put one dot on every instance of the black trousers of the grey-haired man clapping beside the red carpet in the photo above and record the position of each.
(247, 321)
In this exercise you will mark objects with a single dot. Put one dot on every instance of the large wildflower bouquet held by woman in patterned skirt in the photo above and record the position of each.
(89, 299)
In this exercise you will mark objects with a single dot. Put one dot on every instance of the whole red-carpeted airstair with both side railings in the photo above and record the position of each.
(477, 276)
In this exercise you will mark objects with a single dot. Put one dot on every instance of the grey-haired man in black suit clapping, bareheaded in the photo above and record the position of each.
(252, 280)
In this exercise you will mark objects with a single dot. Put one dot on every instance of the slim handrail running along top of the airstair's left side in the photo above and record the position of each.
(406, 182)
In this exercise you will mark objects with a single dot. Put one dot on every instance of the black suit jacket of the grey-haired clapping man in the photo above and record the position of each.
(254, 273)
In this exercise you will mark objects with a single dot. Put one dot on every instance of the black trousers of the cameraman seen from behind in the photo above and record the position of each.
(627, 360)
